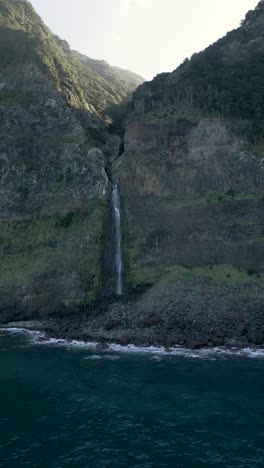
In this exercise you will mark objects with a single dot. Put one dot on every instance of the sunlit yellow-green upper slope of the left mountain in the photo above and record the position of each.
(24, 37)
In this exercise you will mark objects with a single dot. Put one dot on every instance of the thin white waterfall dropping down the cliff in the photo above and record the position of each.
(116, 208)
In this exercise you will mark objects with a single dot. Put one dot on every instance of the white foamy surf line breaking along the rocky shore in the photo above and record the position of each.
(40, 338)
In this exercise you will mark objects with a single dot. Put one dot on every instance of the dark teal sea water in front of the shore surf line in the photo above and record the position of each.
(73, 407)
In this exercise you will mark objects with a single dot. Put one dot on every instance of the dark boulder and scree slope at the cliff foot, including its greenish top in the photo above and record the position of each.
(194, 313)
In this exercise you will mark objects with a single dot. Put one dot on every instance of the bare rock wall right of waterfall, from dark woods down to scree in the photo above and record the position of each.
(193, 196)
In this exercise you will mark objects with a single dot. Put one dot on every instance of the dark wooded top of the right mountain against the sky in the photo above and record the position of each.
(225, 80)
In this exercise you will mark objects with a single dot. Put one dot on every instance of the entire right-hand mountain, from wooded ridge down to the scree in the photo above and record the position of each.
(192, 174)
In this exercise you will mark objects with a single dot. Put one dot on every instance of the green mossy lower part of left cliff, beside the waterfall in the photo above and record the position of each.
(42, 250)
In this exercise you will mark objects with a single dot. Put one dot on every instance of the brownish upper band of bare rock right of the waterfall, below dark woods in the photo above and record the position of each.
(185, 159)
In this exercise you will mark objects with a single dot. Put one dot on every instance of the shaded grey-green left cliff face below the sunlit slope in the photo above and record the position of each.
(53, 200)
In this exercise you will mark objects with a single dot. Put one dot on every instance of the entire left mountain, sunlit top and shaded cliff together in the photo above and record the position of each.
(53, 186)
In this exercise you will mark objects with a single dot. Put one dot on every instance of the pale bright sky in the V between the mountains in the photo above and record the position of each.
(145, 36)
